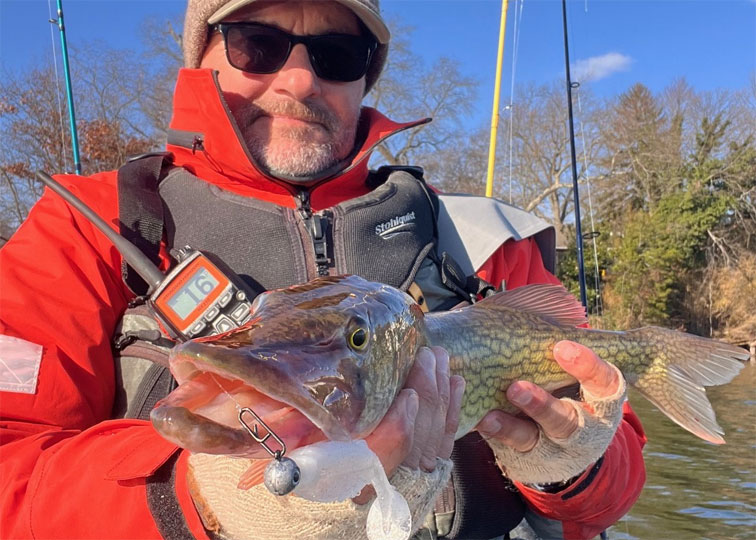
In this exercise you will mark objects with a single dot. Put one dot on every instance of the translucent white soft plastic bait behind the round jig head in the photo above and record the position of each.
(334, 471)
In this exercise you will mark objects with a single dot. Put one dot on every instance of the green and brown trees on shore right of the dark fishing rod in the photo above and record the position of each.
(674, 206)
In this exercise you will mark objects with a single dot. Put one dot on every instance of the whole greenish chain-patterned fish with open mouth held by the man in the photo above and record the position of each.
(324, 360)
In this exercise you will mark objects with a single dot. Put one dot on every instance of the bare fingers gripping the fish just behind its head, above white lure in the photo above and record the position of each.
(421, 424)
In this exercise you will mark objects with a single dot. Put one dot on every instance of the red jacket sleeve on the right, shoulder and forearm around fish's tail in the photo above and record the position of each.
(585, 508)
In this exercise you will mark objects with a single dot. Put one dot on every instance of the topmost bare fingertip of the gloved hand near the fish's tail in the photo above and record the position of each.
(595, 376)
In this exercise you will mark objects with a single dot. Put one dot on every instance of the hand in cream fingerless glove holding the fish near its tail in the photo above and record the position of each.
(557, 421)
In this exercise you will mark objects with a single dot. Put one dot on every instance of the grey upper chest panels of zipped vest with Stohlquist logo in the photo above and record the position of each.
(271, 246)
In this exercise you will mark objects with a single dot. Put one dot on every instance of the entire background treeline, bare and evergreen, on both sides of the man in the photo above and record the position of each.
(667, 180)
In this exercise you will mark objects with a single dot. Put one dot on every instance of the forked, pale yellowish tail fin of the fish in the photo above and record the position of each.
(678, 368)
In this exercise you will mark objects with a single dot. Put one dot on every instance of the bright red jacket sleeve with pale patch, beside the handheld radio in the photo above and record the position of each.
(66, 472)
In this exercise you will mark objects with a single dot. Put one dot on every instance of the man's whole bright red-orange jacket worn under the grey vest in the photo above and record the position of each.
(67, 470)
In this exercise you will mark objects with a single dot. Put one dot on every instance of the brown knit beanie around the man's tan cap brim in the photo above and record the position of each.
(202, 13)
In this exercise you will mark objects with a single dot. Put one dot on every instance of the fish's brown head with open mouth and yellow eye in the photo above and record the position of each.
(328, 356)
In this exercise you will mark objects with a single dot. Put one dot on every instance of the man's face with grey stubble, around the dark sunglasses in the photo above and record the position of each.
(293, 122)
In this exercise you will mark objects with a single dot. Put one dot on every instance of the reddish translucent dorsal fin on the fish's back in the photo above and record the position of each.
(552, 303)
